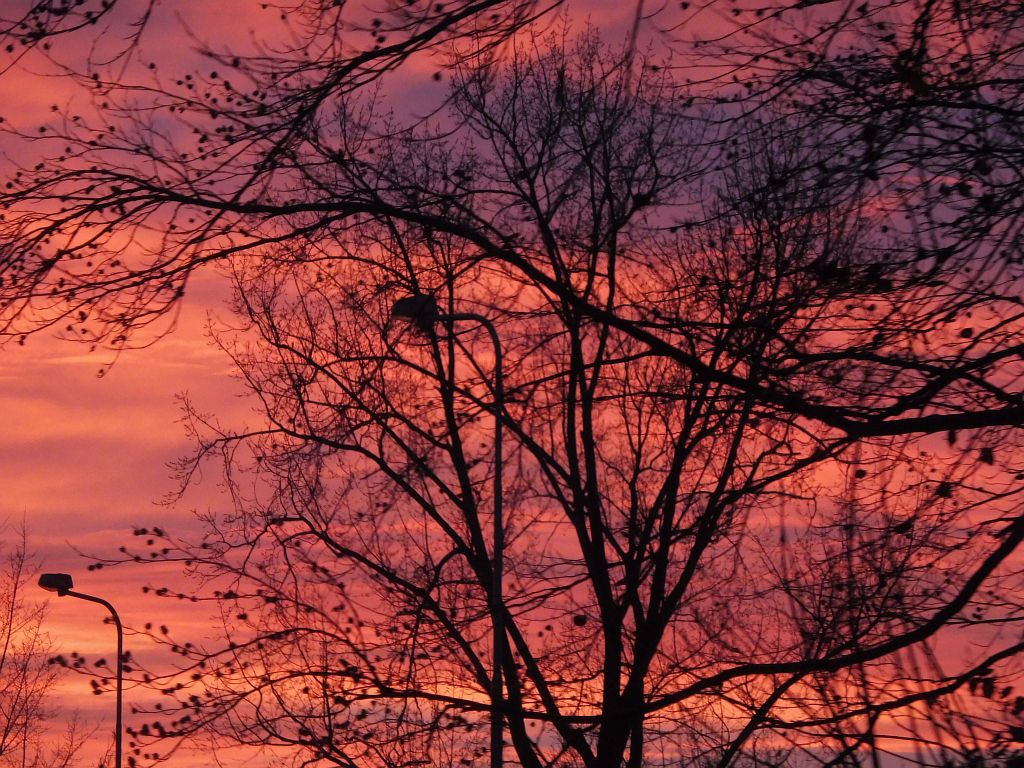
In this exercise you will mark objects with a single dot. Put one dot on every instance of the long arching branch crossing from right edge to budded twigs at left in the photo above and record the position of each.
(263, 152)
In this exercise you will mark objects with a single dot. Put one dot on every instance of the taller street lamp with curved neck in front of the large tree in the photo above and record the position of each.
(422, 312)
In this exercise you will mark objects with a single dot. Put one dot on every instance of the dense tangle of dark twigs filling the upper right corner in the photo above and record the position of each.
(922, 100)
